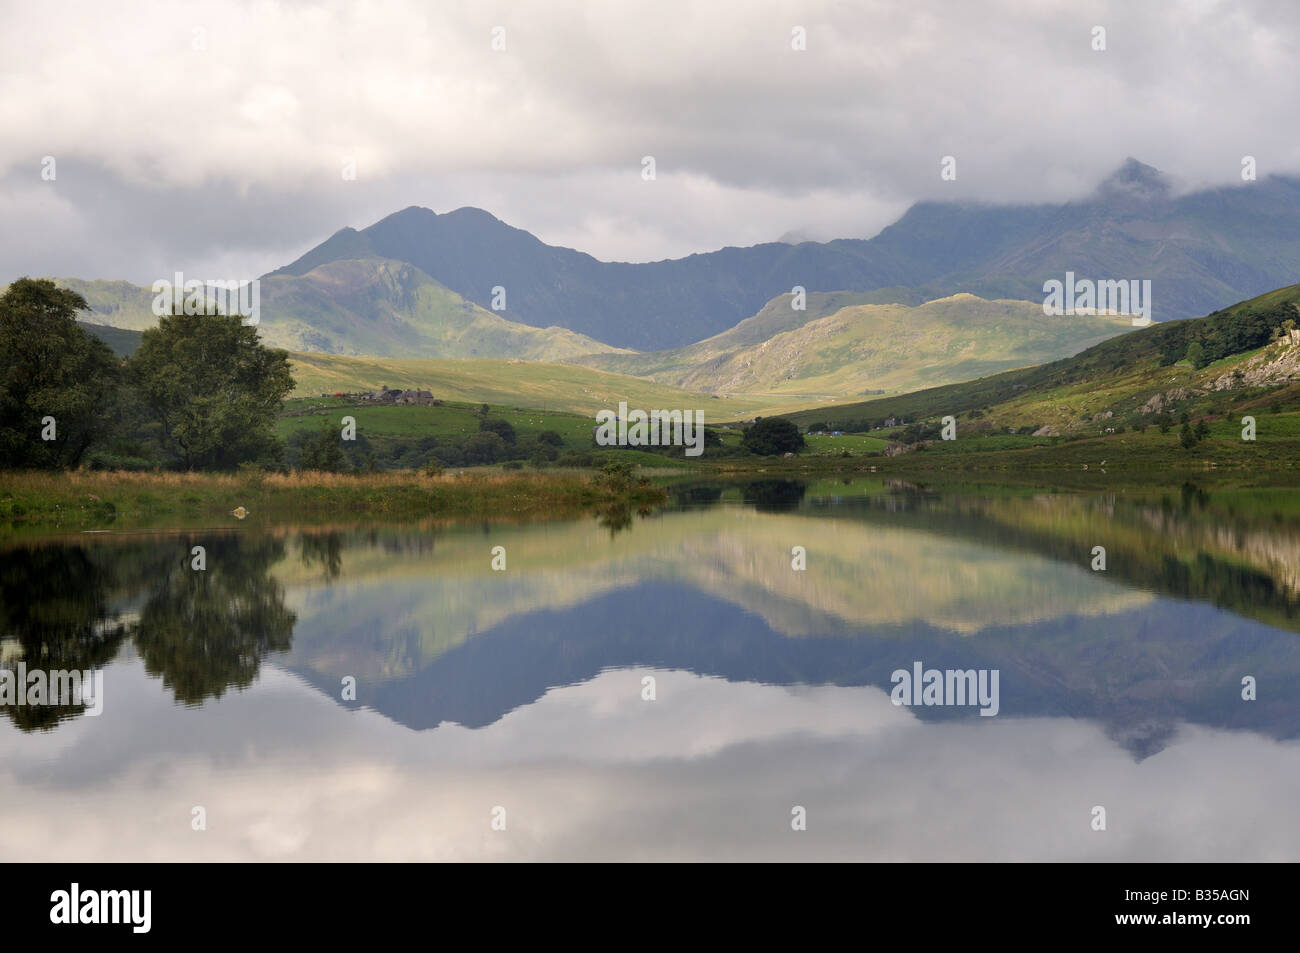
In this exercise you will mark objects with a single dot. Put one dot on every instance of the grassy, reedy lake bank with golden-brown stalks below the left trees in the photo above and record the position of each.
(80, 501)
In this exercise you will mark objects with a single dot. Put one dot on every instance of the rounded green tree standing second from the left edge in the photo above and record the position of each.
(214, 387)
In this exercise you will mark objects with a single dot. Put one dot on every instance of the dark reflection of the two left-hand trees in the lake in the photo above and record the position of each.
(73, 608)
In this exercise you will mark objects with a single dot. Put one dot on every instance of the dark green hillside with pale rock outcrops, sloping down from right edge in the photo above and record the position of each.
(1215, 370)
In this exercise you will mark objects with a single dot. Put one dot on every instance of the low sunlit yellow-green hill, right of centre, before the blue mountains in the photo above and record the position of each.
(863, 348)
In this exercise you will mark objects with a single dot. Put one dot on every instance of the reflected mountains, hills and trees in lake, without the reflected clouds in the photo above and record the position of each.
(1201, 591)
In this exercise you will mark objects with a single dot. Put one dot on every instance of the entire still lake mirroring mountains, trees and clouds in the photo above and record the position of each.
(669, 686)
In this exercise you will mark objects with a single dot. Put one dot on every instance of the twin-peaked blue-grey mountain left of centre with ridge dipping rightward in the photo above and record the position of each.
(642, 306)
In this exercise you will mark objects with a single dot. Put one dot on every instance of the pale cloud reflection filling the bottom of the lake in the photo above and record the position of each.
(709, 772)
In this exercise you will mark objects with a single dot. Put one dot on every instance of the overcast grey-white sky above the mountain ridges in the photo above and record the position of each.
(211, 137)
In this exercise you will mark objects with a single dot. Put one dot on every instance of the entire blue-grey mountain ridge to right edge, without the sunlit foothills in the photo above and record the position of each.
(1202, 252)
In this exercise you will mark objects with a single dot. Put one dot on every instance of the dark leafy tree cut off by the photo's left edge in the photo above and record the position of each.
(57, 380)
